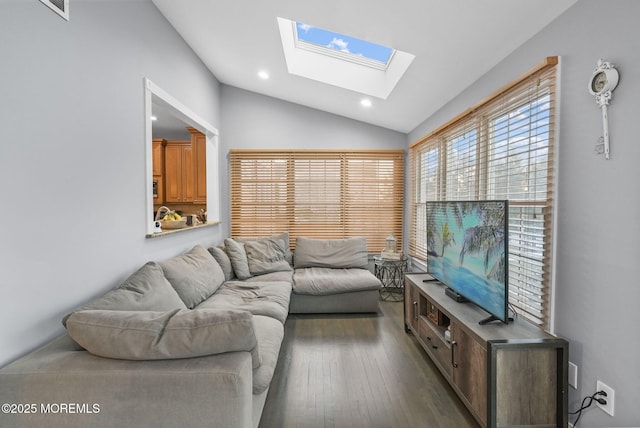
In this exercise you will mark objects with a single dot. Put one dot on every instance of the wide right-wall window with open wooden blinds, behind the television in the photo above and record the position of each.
(501, 148)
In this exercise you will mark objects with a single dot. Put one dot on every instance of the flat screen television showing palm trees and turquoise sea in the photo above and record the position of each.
(467, 251)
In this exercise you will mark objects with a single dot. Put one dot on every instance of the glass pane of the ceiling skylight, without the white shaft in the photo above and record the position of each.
(342, 46)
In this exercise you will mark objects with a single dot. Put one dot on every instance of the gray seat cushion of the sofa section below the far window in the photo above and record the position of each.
(323, 281)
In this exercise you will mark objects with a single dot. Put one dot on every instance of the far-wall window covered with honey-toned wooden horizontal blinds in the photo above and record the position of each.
(318, 194)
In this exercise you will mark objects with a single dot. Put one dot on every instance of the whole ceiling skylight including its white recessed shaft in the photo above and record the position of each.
(340, 60)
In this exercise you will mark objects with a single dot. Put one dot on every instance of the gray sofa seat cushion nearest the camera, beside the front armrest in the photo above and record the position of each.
(269, 333)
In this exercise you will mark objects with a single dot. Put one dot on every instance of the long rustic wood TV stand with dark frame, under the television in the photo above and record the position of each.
(511, 374)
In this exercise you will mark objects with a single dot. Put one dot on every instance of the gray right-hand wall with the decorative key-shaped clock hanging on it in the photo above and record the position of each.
(598, 205)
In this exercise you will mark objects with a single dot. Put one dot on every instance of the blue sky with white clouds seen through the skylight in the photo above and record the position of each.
(343, 43)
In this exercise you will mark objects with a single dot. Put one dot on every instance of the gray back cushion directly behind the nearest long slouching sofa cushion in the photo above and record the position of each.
(147, 289)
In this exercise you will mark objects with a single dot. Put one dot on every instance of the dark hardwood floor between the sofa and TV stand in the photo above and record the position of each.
(357, 371)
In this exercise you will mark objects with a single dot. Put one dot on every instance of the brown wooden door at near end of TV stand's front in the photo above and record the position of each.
(469, 360)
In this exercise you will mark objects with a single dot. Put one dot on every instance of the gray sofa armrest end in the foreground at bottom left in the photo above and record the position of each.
(74, 388)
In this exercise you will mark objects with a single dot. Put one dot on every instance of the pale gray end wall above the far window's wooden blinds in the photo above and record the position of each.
(250, 120)
